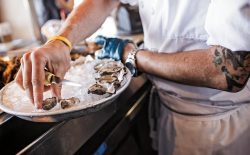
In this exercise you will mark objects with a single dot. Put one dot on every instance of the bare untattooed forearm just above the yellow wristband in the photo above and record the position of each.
(86, 19)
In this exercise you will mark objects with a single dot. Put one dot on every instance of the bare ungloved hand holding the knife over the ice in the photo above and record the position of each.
(55, 56)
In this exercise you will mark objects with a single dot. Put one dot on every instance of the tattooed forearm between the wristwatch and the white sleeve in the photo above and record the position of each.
(216, 67)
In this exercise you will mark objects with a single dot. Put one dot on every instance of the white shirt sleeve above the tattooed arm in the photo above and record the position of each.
(228, 24)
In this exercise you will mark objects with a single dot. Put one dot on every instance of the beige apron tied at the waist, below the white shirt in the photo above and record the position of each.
(199, 129)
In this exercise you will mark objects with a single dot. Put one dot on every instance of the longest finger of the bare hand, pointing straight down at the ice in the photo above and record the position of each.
(38, 78)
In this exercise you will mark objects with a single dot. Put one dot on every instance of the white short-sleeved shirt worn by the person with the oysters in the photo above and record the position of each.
(182, 25)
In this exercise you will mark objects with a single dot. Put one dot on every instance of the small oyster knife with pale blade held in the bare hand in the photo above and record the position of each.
(51, 78)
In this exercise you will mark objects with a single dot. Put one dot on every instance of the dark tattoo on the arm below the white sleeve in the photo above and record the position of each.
(235, 66)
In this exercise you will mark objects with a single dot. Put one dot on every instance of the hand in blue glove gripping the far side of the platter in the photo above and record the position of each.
(112, 47)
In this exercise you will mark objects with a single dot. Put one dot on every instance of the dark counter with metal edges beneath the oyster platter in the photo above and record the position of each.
(84, 135)
